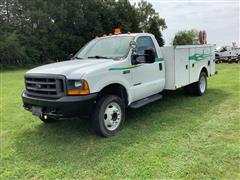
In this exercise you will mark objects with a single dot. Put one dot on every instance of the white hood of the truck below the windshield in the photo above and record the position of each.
(67, 68)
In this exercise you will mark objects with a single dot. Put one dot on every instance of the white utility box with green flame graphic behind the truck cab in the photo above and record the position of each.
(183, 64)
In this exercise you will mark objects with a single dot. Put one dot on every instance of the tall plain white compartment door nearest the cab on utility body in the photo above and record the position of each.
(181, 67)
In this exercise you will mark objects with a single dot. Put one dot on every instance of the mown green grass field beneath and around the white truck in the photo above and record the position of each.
(178, 137)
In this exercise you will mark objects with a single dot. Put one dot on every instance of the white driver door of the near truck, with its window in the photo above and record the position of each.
(146, 77)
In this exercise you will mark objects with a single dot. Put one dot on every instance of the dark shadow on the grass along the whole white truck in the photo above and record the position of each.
(73, 139)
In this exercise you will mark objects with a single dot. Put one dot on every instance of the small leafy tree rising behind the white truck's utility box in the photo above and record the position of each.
(185, 37)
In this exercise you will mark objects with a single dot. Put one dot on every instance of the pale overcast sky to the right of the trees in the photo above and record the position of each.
(220, 18)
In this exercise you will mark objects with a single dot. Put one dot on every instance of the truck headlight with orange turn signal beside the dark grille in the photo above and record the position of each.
(77, 87)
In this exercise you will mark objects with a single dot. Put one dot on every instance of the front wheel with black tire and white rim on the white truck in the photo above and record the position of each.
(108, 116)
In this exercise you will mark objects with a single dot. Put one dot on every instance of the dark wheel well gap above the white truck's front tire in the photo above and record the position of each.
(116, 89)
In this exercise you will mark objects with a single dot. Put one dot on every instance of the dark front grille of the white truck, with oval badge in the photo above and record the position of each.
(45, 85)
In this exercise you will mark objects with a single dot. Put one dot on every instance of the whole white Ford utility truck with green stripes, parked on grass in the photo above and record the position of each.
(112, 73)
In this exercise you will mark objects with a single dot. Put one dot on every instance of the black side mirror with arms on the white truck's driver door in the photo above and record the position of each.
(148, 57)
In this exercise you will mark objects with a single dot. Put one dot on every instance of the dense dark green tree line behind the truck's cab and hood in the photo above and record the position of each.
(42, 31)
